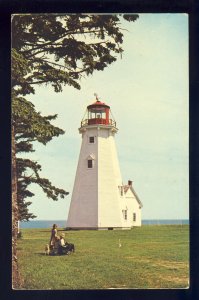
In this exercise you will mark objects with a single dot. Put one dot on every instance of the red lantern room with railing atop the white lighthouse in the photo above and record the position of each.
(98, 113)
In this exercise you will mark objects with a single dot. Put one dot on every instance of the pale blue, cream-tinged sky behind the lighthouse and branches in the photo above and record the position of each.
(148, 93)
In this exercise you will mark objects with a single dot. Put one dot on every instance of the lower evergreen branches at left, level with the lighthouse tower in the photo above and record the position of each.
(30, 126)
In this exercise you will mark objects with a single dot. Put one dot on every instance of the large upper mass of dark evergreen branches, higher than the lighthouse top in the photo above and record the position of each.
(61, 49)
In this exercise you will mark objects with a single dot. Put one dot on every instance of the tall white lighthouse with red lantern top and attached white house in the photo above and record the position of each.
(100, 200)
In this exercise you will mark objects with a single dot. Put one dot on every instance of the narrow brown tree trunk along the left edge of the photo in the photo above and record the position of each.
(16, 280)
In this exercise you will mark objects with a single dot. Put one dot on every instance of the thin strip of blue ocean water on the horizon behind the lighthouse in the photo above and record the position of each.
(62, 223)
